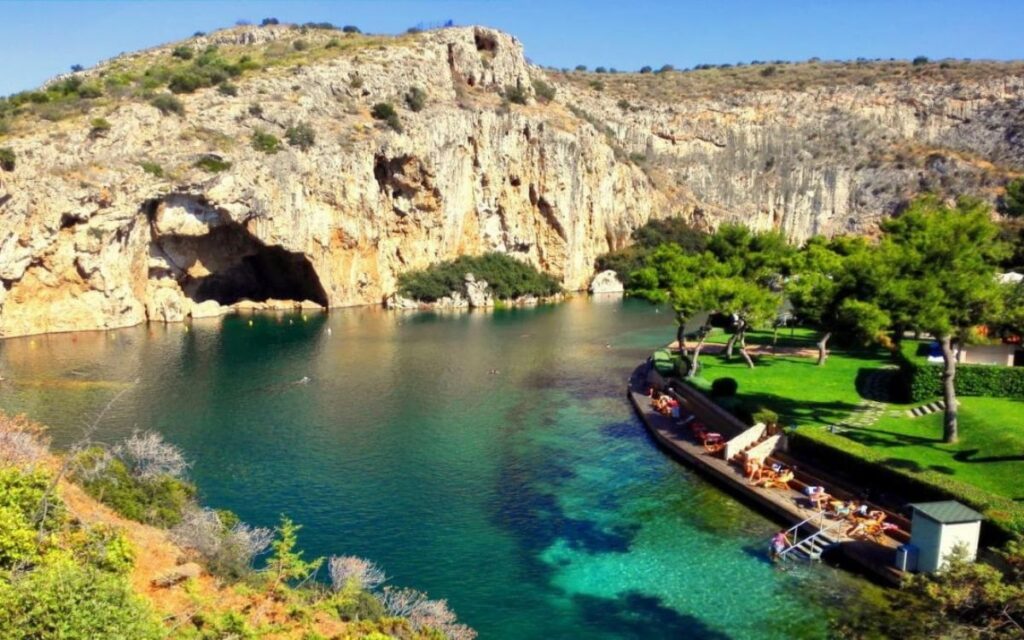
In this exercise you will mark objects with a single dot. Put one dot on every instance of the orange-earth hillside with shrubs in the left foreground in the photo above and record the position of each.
(109, 542)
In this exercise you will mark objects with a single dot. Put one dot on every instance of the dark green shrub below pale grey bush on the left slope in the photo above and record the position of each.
(158, 500)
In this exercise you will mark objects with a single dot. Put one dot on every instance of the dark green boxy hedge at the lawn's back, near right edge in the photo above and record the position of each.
(924, 381)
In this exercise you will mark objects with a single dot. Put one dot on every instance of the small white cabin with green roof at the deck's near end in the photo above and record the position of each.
(938, 528)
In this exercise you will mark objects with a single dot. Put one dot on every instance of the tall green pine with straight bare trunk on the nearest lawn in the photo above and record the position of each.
(940, 265)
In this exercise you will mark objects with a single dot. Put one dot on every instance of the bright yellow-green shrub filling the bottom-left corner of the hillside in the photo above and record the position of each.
(62, 600)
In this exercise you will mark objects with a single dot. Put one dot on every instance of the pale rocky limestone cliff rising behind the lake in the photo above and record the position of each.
(121, 211)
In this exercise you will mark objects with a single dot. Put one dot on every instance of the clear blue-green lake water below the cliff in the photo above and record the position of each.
(531, 499)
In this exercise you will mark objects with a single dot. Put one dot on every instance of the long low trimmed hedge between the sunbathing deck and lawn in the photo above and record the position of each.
(870, 468)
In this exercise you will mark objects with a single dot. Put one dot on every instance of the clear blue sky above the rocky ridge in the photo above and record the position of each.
(44, 38)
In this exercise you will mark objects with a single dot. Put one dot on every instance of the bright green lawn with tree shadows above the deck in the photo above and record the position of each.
(984, 468)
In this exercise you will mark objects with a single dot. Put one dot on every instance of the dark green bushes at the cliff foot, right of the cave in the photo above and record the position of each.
(507, 277)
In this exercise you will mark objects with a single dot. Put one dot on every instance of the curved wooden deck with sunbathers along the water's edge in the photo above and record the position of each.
(789, 506)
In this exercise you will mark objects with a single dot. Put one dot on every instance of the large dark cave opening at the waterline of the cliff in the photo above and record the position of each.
(229, 266)
